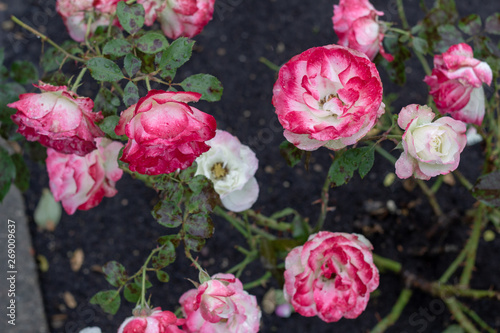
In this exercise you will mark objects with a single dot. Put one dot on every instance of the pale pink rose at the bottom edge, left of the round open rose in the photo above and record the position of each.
(220, 305)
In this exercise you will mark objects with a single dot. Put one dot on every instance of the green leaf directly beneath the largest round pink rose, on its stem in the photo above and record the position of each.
(344, 165)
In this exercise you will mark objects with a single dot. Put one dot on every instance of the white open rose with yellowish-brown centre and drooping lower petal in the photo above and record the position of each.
(231, 167)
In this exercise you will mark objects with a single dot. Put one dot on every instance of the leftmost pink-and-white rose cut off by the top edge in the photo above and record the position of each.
(73, 14)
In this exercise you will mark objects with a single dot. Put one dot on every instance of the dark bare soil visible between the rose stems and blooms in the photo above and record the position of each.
(121, 228)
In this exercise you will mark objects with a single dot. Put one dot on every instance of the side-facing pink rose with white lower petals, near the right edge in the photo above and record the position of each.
(456, 84)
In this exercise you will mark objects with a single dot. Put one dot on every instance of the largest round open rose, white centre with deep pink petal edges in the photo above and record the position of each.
(328, 96)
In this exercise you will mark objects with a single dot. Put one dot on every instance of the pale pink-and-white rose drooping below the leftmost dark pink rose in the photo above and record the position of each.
(81, 182)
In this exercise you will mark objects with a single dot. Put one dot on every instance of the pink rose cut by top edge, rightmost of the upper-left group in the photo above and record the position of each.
(185, 18)
